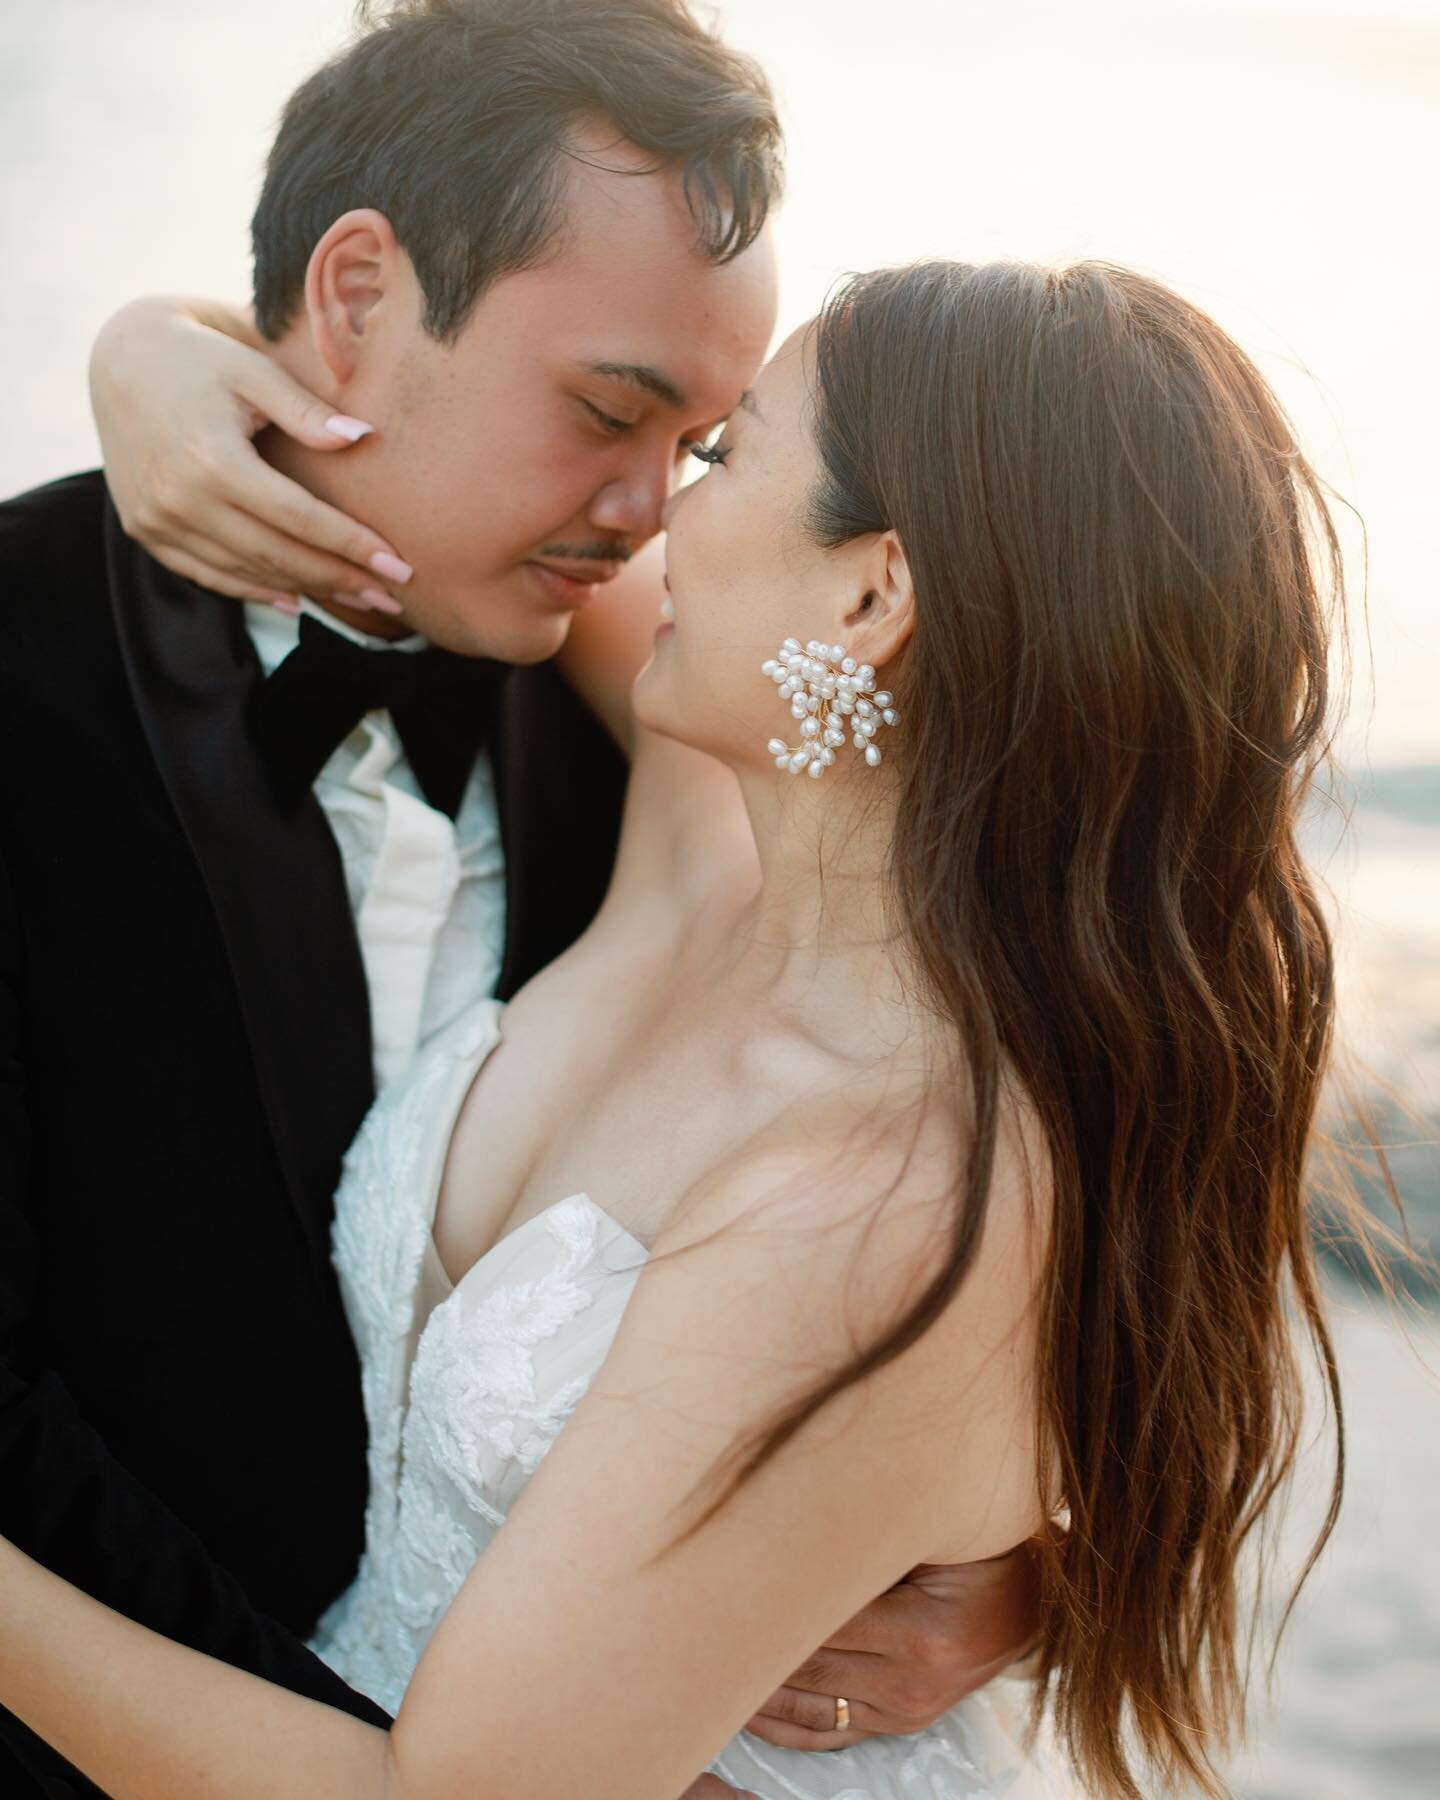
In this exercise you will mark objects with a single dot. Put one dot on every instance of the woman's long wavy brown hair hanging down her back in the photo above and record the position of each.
(1113, 706)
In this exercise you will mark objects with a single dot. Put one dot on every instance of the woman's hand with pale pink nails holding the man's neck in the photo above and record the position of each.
(179, 390)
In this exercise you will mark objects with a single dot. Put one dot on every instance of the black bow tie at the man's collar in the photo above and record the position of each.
(440, 705)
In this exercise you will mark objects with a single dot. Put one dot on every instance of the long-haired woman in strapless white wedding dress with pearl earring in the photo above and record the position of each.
(930, 1167)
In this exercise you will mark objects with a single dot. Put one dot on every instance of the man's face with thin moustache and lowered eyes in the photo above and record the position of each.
(528, 460)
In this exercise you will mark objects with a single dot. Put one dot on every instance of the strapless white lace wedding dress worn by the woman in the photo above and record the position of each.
(469, 1387)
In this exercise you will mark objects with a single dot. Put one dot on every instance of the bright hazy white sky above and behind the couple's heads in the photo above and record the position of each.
(1273, 161)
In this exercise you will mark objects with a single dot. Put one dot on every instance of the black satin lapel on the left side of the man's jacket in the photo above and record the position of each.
(276, 883)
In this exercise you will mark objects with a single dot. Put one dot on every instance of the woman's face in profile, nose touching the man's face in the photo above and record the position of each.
(744, 573)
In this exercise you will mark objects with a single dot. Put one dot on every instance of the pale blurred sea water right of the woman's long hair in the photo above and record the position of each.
(1356, 1707)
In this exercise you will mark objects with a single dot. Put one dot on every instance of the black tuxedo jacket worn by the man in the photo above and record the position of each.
(184, 1056)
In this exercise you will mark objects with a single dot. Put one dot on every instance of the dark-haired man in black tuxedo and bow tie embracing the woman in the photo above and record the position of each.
(251, 865)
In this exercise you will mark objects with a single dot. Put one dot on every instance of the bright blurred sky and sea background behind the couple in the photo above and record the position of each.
(1277, 161)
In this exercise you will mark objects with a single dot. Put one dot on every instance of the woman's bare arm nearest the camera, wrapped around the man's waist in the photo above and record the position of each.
(584, 1655)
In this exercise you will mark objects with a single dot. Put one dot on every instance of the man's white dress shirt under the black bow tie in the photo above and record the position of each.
(427, 892)
